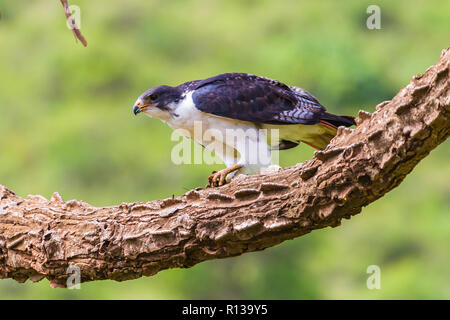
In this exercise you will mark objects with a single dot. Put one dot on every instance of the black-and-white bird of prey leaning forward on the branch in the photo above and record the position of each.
(243, 102)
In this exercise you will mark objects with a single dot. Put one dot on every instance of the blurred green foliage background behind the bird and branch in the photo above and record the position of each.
(66, 125)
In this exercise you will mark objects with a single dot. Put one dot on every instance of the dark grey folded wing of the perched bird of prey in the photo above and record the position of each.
(256, 99)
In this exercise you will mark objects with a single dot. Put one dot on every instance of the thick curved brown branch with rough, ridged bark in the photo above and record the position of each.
(41, 238)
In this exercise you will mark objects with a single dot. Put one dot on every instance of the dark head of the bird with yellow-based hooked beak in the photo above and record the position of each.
(156, 100)
